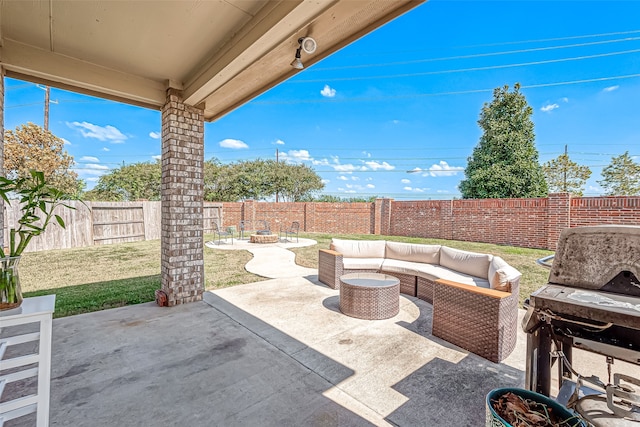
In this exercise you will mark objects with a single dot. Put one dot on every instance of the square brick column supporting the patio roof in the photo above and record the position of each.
(182, 201)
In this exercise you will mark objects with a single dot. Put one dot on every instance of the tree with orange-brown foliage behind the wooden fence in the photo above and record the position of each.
(30, 147)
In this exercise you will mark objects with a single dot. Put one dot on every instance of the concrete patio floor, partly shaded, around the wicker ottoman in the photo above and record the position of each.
(276, 352)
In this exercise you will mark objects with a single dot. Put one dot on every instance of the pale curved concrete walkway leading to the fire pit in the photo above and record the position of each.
(271, 260)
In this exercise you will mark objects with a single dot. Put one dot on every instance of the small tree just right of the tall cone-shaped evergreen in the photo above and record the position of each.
(565, 176)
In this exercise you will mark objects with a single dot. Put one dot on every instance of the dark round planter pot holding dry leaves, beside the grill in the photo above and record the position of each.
(495, 420)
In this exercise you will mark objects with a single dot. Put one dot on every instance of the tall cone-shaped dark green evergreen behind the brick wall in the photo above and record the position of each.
(505, 164)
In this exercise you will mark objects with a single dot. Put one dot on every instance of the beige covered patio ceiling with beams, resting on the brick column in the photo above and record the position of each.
(220, 53)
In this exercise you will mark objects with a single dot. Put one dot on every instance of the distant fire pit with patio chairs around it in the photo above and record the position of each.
(256, 232)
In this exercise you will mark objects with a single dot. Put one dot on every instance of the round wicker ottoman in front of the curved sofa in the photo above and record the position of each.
(369, 296)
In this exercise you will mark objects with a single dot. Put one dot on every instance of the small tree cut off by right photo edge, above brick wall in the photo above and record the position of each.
(621, 177)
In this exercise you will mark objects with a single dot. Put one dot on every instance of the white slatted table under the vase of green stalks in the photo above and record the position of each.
(33, 310)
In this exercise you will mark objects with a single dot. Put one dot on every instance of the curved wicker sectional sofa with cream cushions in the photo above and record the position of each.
(474, 295)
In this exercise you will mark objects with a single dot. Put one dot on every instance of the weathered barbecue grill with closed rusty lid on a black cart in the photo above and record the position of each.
(592, 302)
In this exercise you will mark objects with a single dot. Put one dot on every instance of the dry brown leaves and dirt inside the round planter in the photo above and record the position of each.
(521, 412)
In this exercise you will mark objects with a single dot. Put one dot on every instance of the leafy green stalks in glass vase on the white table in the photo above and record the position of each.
(38, 202)
